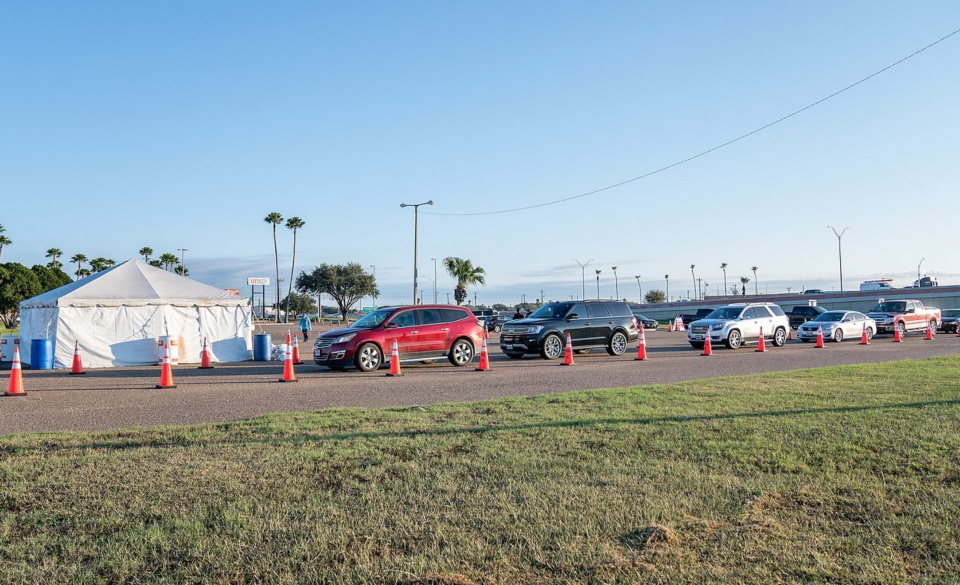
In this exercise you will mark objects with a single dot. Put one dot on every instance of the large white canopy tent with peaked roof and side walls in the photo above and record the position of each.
(120, 315)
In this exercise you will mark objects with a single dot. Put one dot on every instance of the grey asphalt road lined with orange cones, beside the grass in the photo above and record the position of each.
(115, 398)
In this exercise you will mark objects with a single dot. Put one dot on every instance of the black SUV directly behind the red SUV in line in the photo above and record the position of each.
(590, 324)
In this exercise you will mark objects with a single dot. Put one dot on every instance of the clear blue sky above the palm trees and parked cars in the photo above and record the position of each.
(183, 124)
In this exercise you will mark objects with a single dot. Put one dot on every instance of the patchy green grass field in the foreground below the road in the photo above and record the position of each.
(836, 475)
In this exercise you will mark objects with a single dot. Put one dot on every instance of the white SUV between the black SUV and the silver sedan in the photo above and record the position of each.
(740, 323)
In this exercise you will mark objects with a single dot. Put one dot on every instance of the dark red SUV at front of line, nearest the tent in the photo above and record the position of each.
(424, 333)
